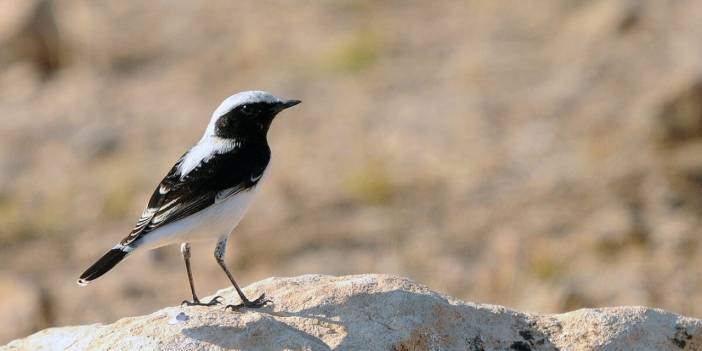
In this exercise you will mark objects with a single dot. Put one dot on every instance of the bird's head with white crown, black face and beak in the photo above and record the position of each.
(246, 115)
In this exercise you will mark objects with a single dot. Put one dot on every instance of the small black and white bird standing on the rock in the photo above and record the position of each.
(207, 192)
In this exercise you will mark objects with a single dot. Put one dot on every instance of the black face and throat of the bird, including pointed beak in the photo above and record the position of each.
(249, 121)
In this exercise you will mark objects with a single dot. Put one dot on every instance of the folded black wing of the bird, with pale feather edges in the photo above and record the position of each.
(218, 176)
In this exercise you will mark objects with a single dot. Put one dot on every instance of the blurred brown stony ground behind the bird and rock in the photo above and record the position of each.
(545, 156)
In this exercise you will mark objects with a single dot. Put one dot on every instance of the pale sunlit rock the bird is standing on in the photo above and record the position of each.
(374, 312)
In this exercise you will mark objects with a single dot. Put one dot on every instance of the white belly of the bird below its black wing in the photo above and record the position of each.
(211, 223)
